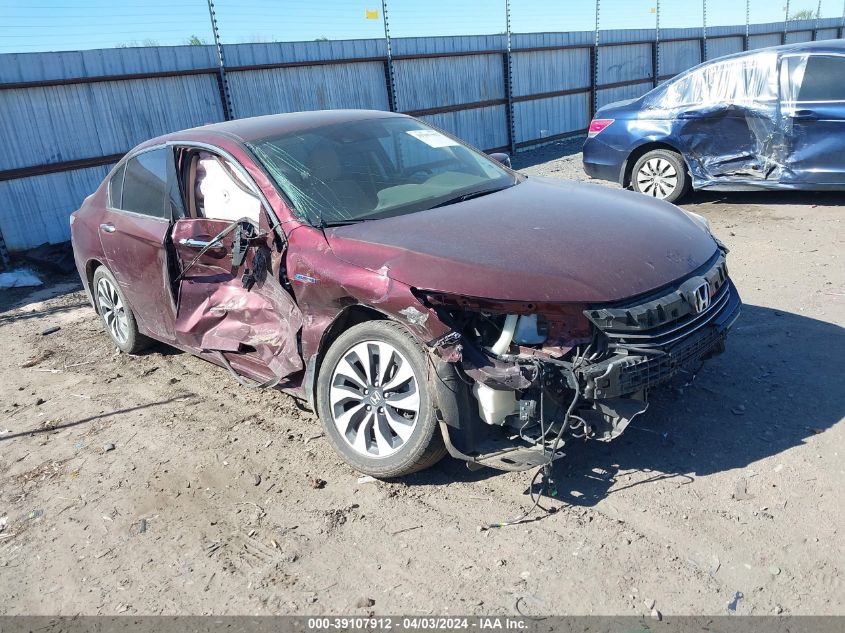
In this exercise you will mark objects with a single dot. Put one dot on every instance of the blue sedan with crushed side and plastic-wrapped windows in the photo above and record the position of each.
(771, 118)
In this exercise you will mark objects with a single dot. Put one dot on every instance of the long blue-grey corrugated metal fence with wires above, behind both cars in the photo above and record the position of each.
(67, 116)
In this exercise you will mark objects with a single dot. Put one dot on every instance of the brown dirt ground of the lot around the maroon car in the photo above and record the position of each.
(155, 484)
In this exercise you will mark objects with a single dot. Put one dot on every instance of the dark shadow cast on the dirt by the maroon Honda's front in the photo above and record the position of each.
(774, 387)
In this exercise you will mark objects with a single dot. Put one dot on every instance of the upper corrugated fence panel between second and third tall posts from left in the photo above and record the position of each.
(444, 81)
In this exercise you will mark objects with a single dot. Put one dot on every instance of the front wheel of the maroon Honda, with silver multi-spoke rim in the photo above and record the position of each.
(374, 401)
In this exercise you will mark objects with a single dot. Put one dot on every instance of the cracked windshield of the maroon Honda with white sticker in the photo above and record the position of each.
(375, 168)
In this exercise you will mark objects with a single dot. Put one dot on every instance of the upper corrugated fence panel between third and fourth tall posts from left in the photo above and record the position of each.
(546, 71)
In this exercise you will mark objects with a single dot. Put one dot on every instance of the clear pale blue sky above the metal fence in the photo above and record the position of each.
(47, 25)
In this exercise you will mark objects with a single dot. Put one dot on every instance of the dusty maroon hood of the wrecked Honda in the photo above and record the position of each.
(541, 240)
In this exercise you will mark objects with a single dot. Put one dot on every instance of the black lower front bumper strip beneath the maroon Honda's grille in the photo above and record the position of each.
(624, 374)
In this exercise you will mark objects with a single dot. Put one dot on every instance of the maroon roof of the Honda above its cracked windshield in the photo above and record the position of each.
(271, 125)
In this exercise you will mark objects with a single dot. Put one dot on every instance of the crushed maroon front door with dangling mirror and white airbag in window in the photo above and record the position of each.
(230, 302)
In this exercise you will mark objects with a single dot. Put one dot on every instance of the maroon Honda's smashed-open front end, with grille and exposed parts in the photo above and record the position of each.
(536, 377)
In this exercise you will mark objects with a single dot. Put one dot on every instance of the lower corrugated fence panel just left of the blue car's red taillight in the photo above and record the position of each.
(540, 118)
